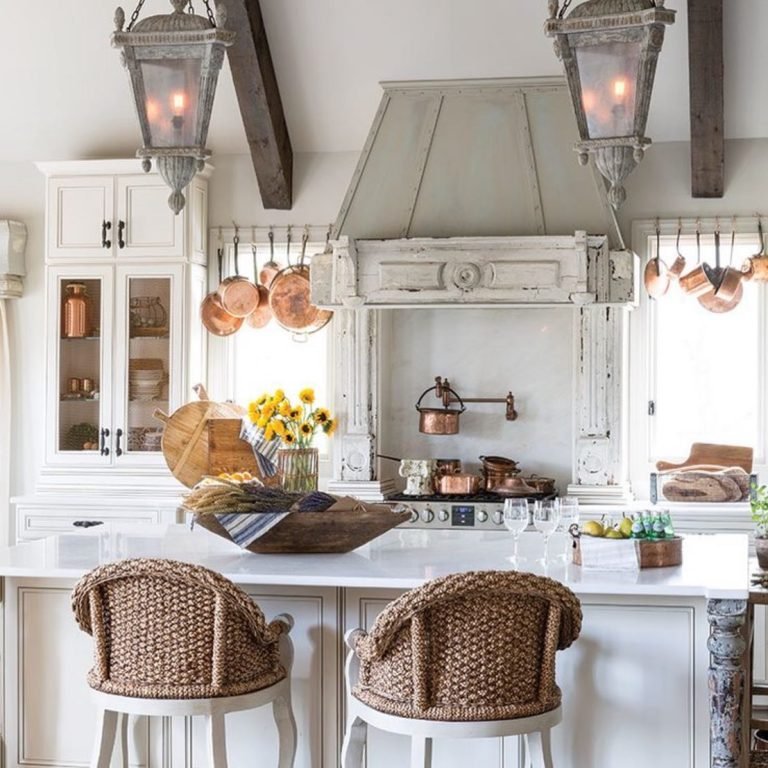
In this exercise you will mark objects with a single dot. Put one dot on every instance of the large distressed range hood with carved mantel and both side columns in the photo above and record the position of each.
(468, 194)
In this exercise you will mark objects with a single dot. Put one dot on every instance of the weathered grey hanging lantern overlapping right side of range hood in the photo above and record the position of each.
(609, 49)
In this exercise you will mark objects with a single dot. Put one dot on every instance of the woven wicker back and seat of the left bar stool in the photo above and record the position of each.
(169, 630)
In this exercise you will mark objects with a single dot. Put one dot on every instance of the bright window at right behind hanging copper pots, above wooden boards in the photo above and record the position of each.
(696, 375)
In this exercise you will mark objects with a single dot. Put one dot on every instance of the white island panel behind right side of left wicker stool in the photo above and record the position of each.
(252, 735)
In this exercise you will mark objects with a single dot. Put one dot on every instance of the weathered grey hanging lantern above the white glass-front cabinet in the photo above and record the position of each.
(173, 61)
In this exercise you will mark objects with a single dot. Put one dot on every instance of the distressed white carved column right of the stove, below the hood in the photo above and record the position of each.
(600, 405)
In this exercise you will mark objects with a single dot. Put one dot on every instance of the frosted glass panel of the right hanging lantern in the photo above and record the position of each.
(608, 74)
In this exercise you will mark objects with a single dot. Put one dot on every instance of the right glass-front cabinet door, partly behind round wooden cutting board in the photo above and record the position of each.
(147, 371)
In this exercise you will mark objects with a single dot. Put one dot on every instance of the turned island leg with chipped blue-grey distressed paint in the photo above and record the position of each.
(726, 681)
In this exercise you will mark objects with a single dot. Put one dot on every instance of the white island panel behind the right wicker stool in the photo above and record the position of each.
(634, 692)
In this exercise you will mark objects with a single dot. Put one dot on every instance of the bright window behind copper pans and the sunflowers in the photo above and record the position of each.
(262, 360)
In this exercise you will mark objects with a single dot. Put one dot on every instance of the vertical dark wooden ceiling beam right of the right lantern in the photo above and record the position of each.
(705, 57)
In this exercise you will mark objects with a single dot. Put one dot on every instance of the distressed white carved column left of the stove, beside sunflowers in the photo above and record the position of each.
(356, 403)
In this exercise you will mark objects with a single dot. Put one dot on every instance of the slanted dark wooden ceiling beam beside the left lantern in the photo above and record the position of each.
(260, 105)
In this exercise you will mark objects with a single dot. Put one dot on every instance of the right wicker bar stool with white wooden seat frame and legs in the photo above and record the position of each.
(469, 655)
